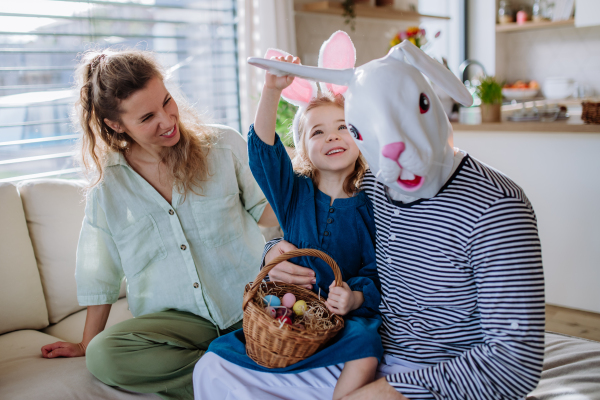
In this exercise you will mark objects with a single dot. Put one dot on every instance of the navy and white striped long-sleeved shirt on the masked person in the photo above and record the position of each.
(462, 287)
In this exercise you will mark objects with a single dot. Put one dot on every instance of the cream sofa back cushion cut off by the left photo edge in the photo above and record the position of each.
(21, 295)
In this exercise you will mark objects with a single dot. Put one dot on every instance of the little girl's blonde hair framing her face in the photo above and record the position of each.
(302, 163)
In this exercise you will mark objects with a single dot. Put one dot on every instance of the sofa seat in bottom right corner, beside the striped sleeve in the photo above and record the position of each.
(571, 369)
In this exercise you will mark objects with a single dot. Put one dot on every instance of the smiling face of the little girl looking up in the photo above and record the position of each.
(329, 144)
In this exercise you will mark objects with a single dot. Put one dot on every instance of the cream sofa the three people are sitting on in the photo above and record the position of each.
(39, 228)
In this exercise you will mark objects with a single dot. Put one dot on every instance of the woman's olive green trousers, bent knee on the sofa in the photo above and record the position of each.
(154, 353)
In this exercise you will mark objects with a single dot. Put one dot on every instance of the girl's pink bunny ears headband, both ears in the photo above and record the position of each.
(337, 52)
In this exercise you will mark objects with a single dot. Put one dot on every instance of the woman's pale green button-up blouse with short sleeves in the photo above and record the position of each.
(193, 255)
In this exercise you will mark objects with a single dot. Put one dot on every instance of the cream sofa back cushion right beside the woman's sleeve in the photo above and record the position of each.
(54, 209)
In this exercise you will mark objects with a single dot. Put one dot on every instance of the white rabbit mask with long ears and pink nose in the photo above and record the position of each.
(395, 116)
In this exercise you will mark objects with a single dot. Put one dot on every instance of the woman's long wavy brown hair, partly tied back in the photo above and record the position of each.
(104, 80)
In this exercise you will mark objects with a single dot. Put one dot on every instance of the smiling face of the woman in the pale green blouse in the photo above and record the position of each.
(150, 116)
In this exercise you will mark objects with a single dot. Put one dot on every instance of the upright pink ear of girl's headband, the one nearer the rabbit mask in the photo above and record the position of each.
(337, 53)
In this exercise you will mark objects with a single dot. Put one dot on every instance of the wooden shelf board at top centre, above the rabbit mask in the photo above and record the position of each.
(363, 10)
